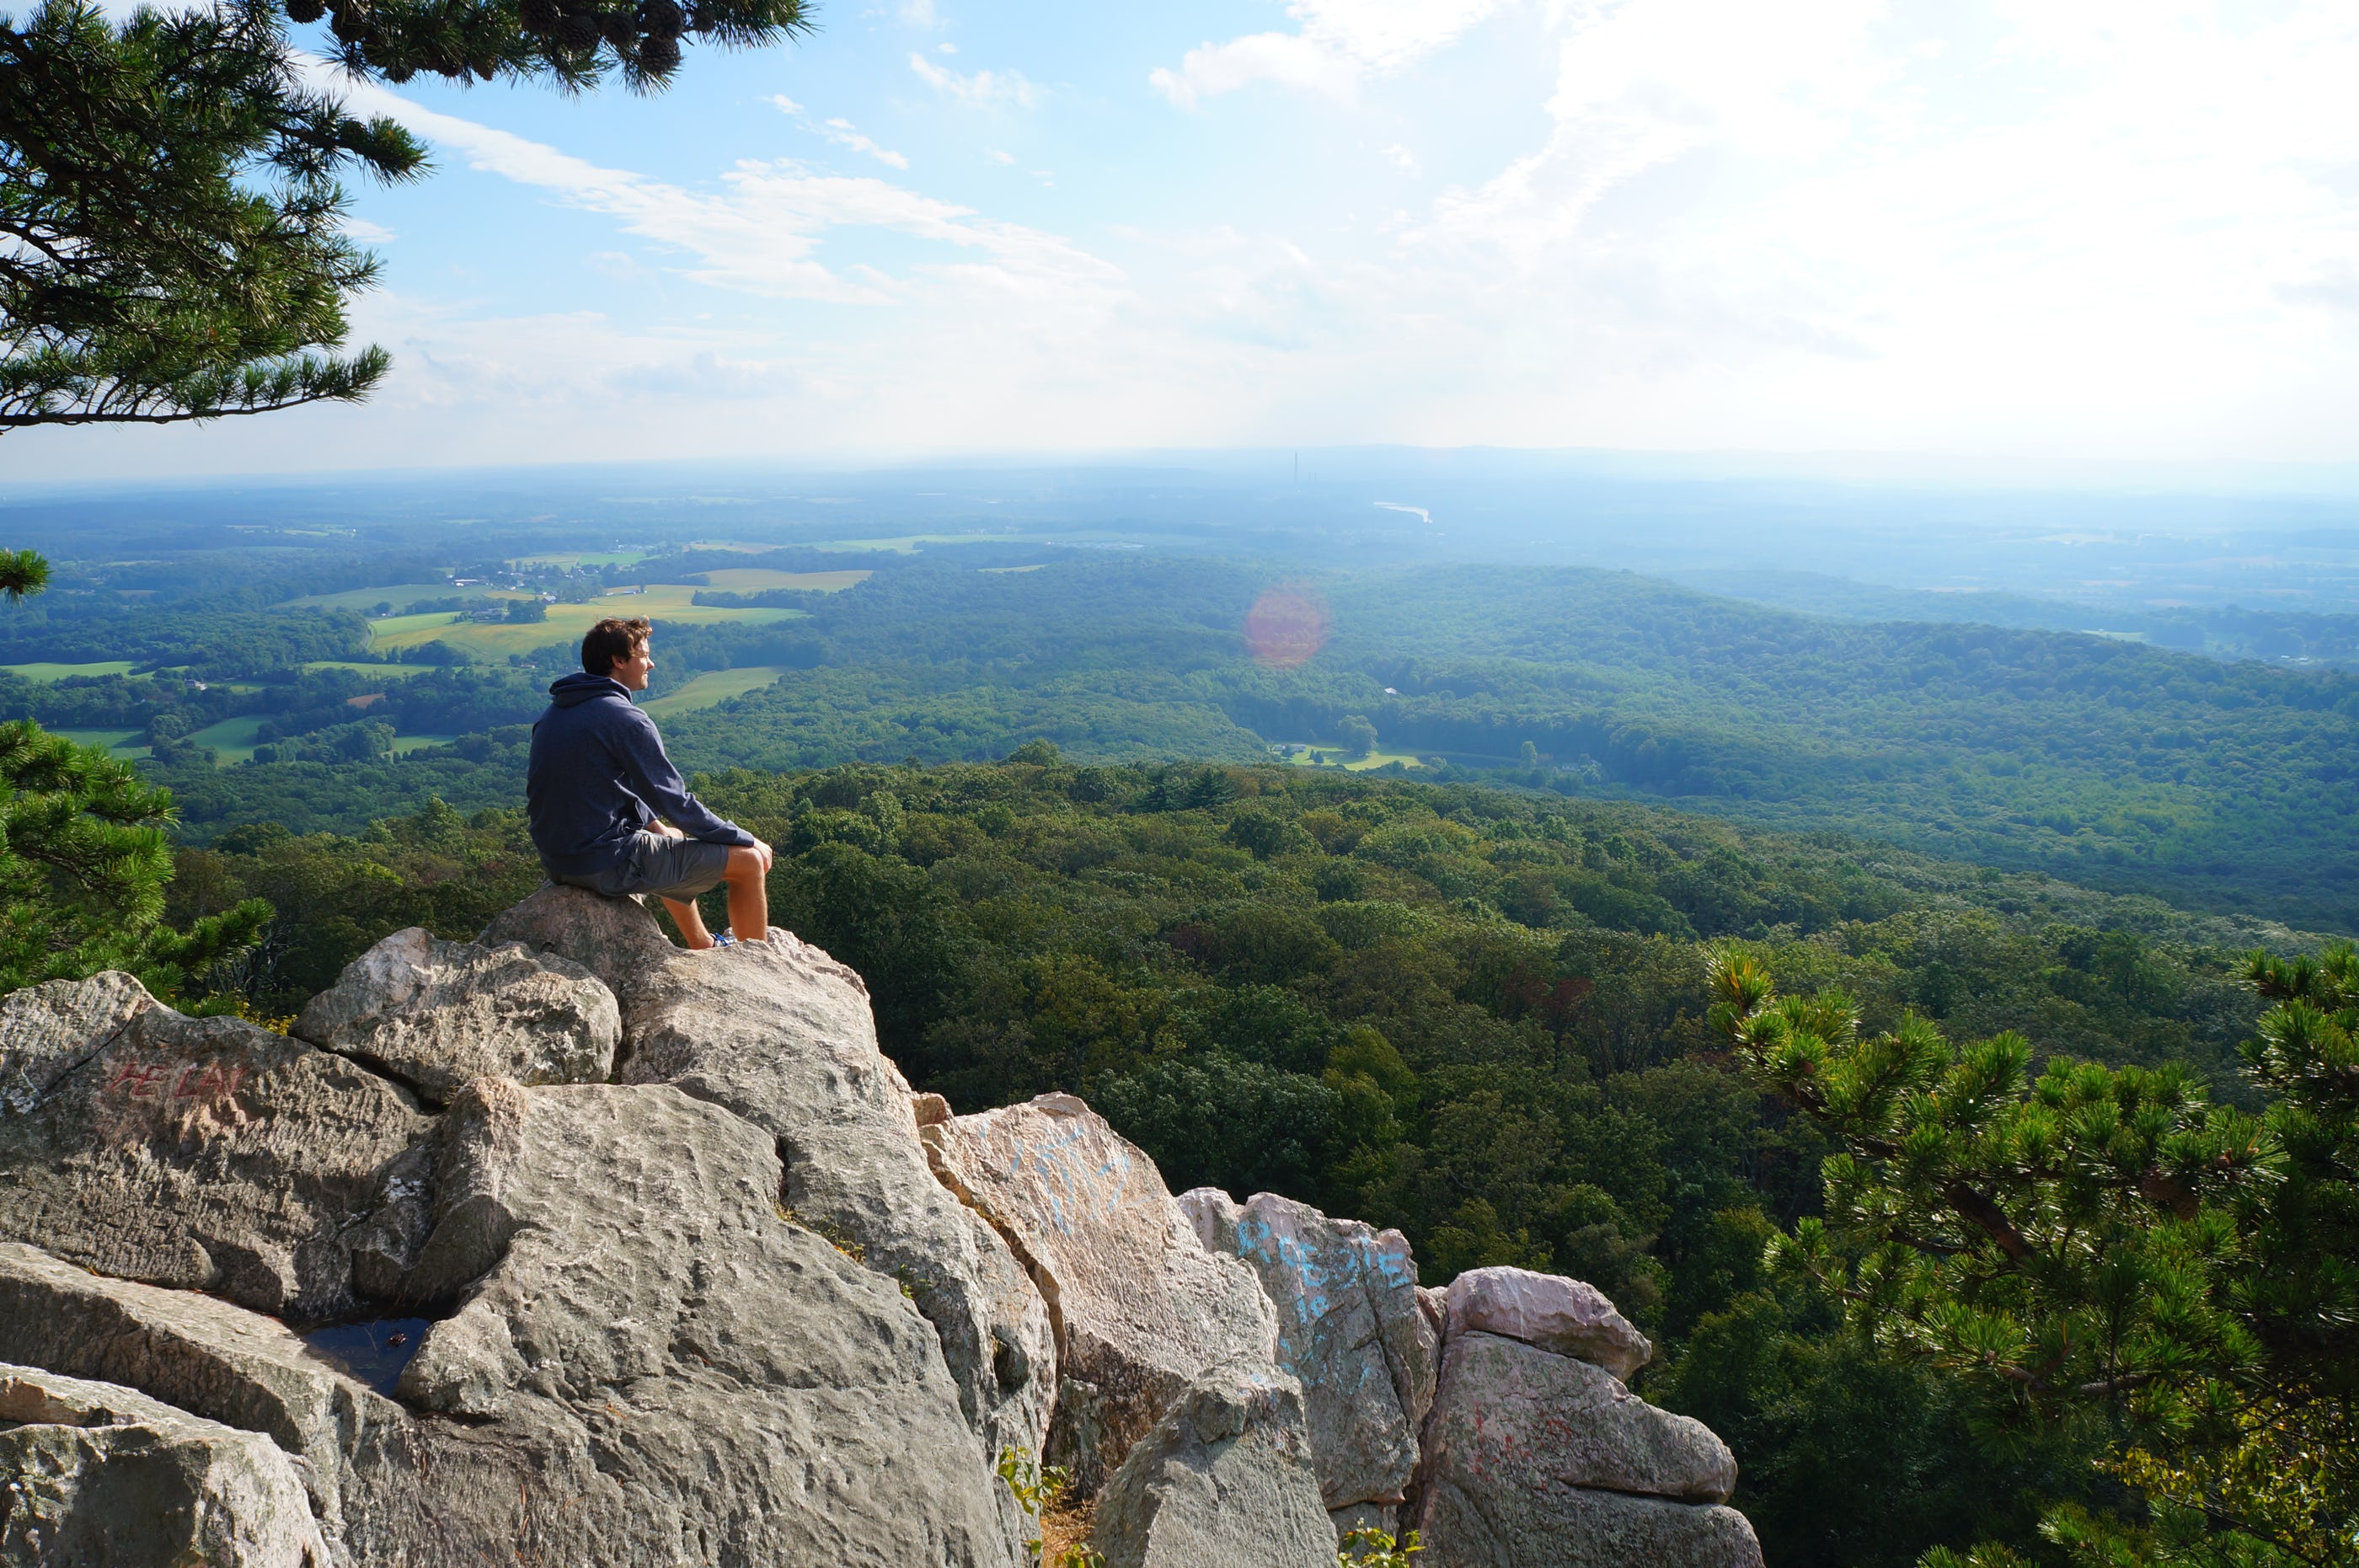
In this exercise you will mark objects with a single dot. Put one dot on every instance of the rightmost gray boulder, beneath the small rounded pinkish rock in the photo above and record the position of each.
(1542, 1458)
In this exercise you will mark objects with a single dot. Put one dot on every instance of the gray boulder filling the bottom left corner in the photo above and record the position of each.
(105, 1475)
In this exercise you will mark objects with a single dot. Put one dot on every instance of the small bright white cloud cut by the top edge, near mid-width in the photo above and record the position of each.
(1336, 48)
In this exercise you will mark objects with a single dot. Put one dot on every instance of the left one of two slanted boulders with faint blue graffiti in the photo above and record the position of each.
(1143, 1310)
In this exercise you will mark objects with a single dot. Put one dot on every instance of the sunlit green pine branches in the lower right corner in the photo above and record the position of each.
(2105, 1251)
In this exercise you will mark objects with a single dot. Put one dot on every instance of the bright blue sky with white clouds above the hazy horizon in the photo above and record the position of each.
(2108, 230)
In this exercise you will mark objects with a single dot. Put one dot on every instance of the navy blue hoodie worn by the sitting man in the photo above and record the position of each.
(598, 777)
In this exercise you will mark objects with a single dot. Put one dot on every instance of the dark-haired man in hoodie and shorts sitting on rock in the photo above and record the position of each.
(610, 812)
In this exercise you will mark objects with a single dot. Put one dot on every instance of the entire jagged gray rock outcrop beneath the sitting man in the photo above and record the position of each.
(685, 1274)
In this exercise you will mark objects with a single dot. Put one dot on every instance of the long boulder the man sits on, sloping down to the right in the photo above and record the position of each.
(782, 1036)
